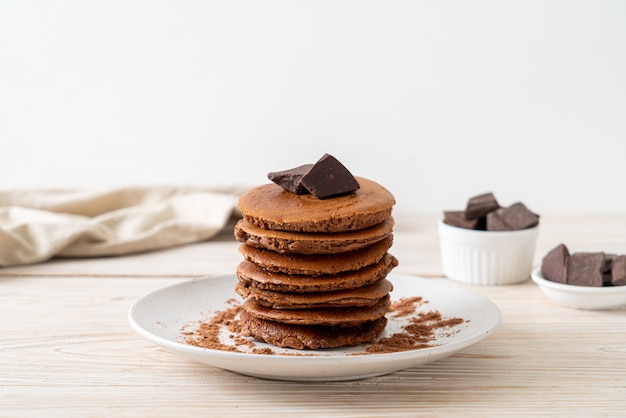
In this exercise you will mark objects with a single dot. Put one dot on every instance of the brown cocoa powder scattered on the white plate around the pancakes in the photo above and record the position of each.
(420, 331)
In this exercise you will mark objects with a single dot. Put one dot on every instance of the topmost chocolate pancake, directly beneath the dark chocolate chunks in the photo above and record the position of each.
(271, 207)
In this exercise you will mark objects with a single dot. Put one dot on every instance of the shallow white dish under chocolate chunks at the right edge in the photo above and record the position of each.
(581, 297)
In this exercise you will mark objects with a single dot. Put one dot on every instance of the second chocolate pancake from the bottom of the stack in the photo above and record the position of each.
(337, 317)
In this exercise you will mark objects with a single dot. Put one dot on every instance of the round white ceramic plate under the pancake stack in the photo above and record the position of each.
(160, 316)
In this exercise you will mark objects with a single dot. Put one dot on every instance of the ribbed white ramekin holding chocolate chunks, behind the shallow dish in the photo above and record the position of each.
(487, 257)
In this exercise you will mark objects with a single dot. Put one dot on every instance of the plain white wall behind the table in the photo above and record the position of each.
(437, 100)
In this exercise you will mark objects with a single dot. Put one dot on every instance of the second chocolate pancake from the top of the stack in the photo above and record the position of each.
(311, 243)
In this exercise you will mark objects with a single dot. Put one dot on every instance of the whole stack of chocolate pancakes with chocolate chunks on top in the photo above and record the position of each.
(315, 260)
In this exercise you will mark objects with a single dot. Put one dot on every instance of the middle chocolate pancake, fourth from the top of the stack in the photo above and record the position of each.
(254, 276)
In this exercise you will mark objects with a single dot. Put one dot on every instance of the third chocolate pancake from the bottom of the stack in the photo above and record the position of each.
(362, 296)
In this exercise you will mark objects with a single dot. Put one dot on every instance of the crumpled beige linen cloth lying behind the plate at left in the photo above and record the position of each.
(36, 225)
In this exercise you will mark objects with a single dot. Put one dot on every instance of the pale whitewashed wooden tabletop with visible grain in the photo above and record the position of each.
(67, 348)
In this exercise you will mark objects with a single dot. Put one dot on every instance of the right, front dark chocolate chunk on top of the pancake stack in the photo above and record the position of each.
(328, 178)
